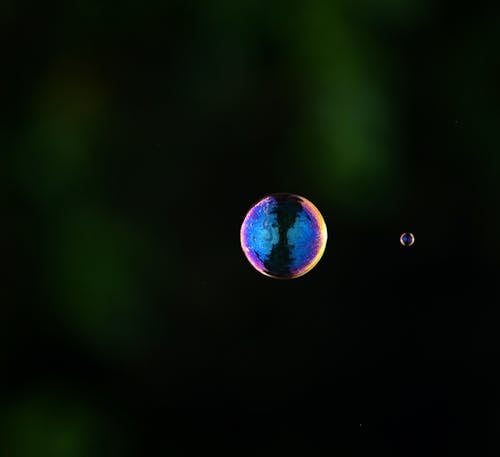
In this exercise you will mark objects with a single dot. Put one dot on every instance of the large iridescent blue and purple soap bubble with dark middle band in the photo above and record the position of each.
(283, 236)
